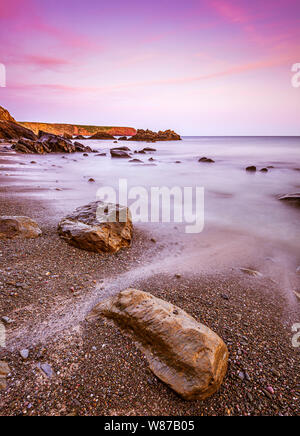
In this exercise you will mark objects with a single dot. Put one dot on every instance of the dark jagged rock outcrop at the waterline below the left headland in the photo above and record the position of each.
(49, 143)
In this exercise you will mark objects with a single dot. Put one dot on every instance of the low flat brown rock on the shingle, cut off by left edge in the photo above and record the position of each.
(18, 227)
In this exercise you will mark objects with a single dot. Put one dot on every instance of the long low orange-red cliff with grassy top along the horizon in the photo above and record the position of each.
(74, 130)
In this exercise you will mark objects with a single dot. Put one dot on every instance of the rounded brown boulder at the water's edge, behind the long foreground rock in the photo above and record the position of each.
(87, 227)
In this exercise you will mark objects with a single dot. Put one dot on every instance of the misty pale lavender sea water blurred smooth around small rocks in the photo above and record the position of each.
(234, 199)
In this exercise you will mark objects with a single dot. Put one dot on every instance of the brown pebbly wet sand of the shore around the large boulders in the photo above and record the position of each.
(47, 288)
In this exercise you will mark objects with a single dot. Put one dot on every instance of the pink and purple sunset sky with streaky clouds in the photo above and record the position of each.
(219, 67)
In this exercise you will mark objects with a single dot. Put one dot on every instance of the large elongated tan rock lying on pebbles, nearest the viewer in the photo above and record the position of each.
(186, 355)
